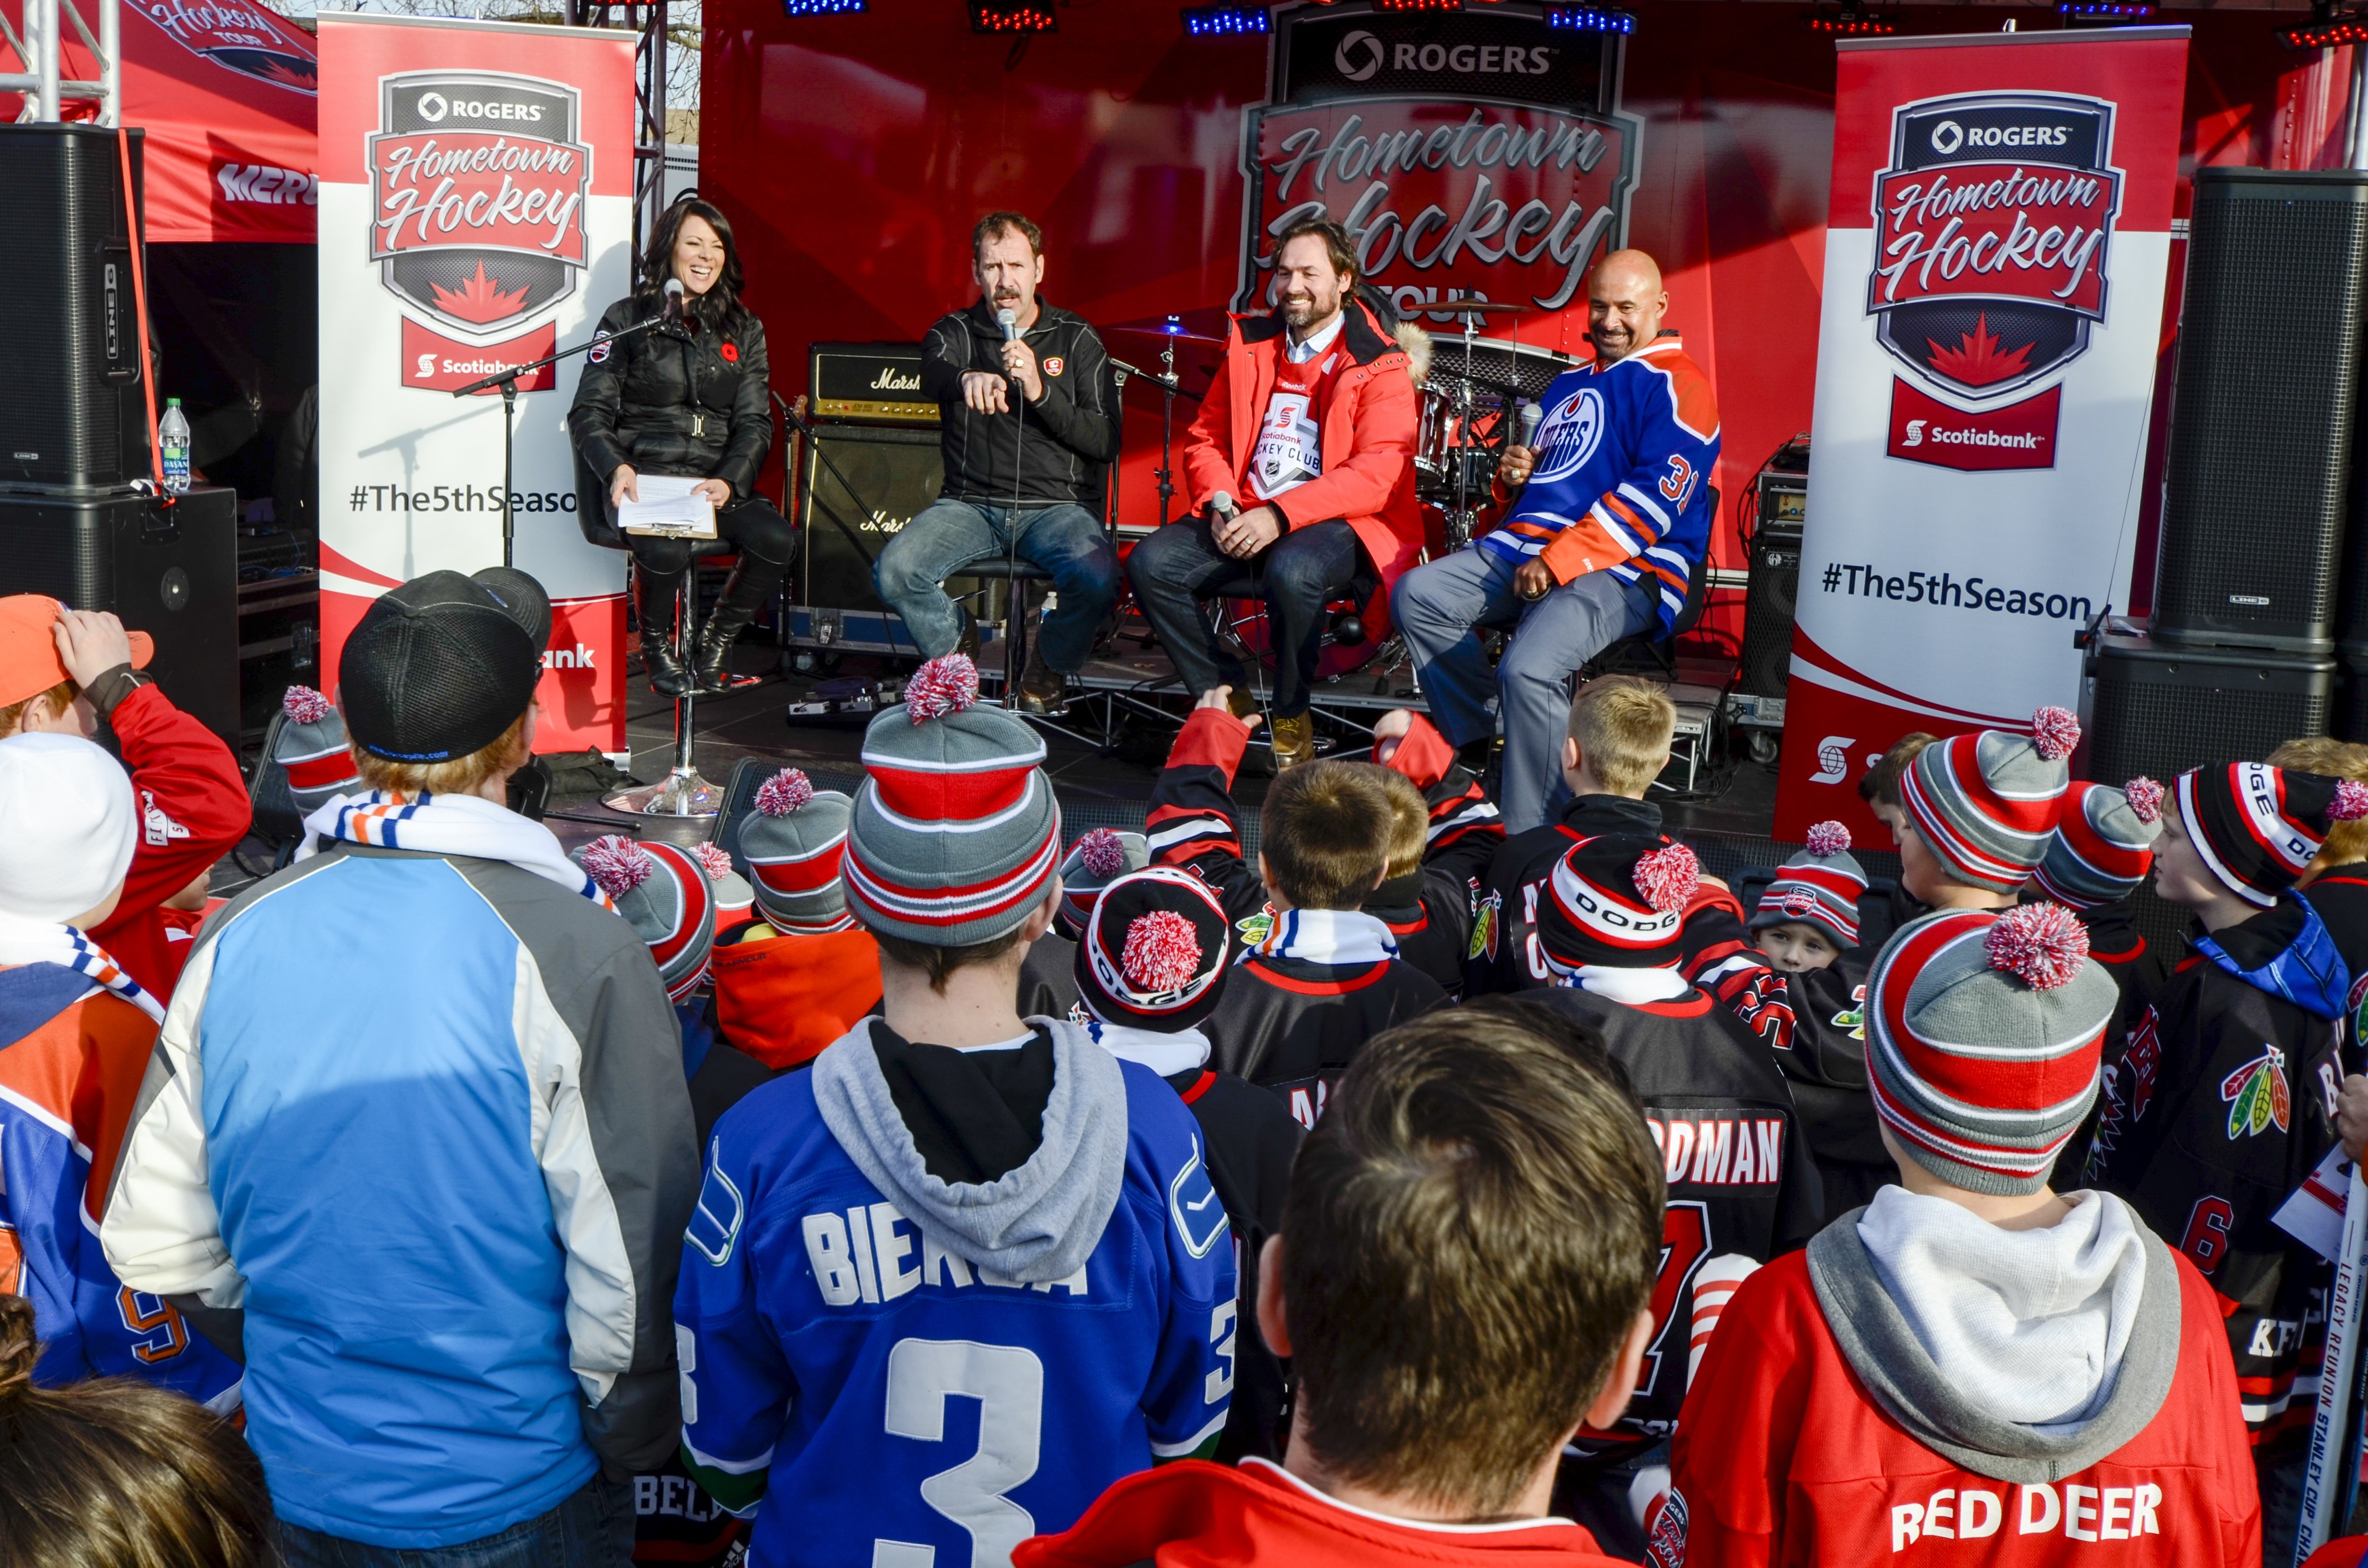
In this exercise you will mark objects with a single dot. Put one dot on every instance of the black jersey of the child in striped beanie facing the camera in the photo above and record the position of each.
(1815, 1027)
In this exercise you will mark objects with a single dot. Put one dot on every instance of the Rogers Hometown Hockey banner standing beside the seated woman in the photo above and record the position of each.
(472, 214)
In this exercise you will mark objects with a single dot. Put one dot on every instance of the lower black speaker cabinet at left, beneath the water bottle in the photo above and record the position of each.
(169, 572)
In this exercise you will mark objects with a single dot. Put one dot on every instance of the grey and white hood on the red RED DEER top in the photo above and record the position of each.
(2021, 1356)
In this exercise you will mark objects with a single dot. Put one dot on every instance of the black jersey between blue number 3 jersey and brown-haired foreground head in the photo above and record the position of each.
(1251, 1143)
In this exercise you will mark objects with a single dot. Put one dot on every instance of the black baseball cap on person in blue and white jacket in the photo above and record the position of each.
(442, 667)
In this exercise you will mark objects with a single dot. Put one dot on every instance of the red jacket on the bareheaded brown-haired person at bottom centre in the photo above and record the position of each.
(1197, 1515)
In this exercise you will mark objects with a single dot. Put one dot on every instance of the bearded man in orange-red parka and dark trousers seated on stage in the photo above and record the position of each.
(1308, 435)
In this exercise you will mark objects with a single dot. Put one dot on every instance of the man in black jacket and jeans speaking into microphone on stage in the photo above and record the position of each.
(1029, 428)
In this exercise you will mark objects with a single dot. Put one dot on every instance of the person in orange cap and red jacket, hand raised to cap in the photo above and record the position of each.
(65, 671)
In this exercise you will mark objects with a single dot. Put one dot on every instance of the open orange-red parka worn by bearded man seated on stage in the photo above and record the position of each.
(1370, 432)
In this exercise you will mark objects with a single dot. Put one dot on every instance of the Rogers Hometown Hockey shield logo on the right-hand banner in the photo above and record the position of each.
(1993, 233)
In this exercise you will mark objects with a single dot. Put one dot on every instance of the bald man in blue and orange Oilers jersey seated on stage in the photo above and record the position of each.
(1607, 520)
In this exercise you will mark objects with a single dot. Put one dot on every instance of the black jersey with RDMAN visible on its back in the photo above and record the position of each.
(1742, 1181)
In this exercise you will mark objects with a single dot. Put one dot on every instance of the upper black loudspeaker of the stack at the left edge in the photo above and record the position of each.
(72, 409)
